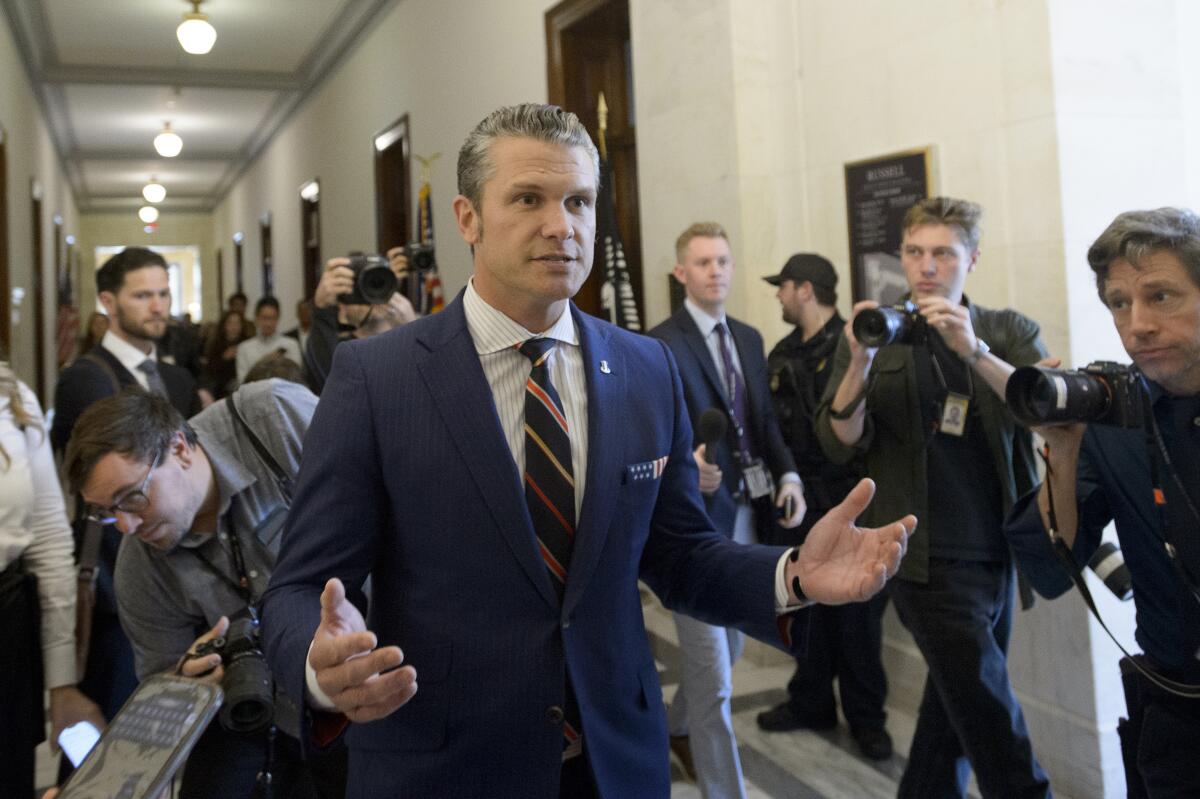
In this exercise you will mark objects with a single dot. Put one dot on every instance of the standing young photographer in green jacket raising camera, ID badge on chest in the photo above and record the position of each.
(926, 410)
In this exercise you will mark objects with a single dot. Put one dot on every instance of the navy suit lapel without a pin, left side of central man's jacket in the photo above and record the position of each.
(455, 379)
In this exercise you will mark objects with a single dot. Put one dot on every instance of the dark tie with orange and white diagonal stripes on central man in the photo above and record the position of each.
(550, 495)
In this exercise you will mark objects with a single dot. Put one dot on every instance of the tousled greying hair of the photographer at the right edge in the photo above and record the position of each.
(1135, 236)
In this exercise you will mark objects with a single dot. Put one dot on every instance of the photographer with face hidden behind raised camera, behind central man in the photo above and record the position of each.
(335, 321)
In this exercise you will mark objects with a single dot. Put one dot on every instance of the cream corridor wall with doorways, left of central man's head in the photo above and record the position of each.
(446, 64)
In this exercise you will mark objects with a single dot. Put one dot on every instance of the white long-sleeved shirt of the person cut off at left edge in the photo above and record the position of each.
(34, 526)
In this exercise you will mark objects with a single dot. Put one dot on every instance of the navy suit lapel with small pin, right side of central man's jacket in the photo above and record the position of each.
(607, 391)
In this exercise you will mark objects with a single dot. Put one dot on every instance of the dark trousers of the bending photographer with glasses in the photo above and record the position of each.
(227, 765)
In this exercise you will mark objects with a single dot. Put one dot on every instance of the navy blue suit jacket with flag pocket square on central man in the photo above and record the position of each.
(407, 478)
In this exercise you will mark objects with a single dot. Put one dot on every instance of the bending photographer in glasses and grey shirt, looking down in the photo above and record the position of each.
(201, 506)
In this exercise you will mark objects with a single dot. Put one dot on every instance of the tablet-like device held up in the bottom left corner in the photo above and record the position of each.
(148, 741)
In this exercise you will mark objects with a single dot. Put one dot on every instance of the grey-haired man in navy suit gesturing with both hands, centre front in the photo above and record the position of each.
(506, 472)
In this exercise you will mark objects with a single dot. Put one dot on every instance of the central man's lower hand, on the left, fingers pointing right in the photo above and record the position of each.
(364, 682)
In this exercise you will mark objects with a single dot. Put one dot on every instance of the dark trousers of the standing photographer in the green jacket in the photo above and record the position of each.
(969, 716)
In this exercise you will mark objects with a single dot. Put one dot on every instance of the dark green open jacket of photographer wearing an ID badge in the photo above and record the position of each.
(893, 441)
